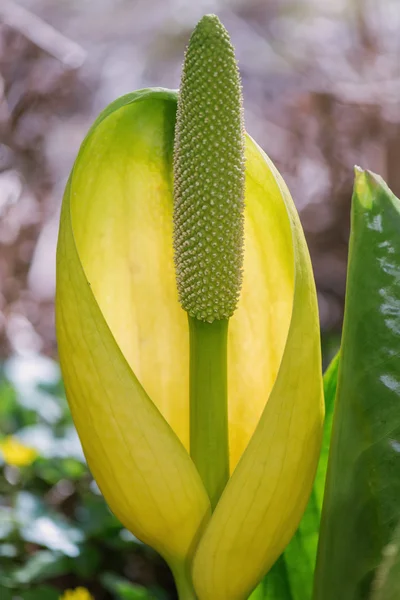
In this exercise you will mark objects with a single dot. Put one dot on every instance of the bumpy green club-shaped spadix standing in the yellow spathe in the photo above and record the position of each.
(209, 176)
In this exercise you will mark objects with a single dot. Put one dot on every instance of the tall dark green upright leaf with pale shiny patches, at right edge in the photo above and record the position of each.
(361, 506)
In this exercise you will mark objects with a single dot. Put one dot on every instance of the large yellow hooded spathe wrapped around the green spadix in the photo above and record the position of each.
(124, 350)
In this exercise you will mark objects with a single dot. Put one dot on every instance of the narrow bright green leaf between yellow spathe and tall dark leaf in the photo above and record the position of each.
(291, 578)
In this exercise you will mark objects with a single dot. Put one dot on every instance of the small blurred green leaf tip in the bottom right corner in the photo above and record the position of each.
(387, 582)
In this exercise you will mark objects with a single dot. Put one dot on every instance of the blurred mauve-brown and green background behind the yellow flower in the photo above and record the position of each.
(321, 82)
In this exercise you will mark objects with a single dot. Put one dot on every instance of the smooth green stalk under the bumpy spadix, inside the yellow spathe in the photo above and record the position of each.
(208, 404)
